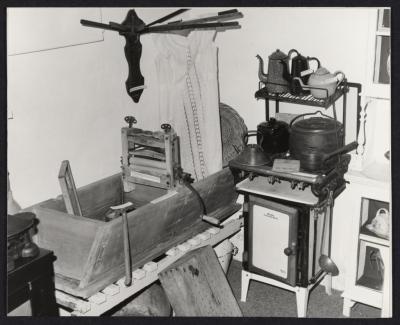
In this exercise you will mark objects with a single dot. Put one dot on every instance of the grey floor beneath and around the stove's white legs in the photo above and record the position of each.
(267, 301)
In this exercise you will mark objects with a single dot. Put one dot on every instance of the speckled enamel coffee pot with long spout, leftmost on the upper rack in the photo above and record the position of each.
(274, 80)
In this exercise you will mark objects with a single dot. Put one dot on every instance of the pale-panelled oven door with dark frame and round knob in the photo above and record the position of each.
(272, 240)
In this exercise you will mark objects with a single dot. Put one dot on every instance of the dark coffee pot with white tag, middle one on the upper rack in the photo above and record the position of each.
(299, 68)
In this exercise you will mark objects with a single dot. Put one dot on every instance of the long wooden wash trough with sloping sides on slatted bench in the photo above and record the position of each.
(89, 249)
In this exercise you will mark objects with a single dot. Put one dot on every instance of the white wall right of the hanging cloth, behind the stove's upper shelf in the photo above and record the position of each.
(336, 36)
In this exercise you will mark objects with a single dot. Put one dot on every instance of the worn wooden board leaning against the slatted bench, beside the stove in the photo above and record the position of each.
(196, 286)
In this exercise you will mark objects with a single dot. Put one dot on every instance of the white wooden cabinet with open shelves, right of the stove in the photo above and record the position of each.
(367, 279)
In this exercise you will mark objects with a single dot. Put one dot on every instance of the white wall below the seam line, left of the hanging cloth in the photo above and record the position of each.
(69, 103)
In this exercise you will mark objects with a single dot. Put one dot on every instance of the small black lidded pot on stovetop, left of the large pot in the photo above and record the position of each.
(274, 135)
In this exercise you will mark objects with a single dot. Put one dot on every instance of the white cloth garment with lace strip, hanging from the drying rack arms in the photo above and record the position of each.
(188, 98)
